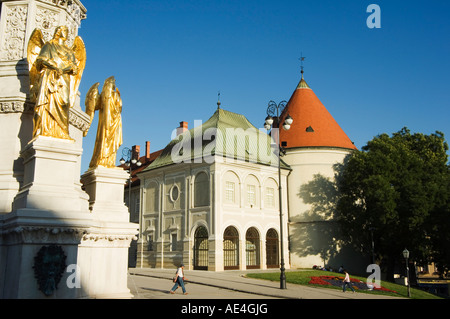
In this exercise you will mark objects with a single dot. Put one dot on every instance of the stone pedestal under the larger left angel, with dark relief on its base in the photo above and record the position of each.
(49, 209)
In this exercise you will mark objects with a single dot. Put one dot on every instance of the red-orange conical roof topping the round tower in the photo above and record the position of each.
(313, 125)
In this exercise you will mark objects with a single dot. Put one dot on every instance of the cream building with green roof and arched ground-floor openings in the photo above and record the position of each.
(213, 208)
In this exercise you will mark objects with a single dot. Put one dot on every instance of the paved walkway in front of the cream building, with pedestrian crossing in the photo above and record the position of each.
(146, 283)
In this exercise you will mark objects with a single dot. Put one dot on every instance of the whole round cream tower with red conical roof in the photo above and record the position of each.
(314, 143)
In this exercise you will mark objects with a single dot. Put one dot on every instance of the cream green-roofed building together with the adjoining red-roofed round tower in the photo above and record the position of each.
(210, 199)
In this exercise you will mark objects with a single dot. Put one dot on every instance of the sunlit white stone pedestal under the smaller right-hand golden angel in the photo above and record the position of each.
(109, 239)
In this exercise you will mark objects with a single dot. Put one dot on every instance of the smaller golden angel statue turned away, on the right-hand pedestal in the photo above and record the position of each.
(109, 130)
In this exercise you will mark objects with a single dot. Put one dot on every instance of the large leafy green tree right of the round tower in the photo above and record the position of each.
(397, 185)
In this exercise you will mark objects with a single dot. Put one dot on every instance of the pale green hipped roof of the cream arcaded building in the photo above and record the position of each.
(225, 135)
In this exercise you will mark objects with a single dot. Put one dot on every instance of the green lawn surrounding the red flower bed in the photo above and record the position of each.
(302, 277)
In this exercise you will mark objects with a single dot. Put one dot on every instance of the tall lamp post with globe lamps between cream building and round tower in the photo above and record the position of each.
(273, 110)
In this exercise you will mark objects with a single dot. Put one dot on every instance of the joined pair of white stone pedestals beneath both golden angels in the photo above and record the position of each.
(91, 230)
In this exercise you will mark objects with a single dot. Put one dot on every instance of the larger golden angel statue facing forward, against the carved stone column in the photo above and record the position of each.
(55, 75)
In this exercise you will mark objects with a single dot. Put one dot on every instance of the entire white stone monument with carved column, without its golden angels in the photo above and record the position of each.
(56, 240)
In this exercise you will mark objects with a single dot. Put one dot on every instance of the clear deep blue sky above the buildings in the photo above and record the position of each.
(171, 58)
